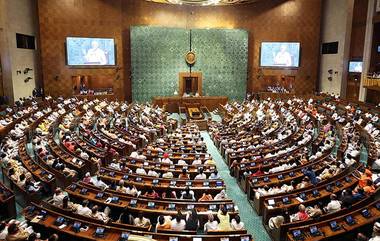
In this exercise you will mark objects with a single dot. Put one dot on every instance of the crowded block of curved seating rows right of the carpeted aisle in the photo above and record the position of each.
(299, 161)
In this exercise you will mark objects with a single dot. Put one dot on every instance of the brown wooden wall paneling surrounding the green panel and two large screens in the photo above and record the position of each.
(276, 20)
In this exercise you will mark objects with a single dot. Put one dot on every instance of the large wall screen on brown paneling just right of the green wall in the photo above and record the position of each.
(280, 54)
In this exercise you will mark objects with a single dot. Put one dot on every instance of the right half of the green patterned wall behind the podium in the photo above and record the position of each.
(222, 56)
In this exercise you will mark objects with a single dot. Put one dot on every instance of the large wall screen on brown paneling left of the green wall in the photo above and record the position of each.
(90, 51)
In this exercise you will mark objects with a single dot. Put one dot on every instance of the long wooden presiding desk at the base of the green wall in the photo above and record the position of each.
(173, 102)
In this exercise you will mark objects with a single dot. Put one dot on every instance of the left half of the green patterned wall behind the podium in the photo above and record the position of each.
(157, 58)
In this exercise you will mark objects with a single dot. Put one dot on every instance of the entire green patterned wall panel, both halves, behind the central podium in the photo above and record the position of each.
(157, 56)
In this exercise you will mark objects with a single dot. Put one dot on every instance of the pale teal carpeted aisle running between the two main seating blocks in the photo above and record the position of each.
(250, 218)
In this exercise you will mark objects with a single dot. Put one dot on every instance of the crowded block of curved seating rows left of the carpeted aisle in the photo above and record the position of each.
(107, 170)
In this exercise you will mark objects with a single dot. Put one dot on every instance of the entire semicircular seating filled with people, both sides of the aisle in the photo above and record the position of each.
(90, 169)
